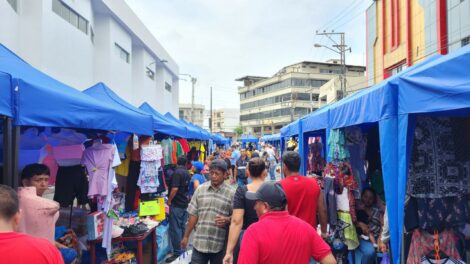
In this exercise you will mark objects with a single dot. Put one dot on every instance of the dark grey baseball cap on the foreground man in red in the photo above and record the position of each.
(269, 192)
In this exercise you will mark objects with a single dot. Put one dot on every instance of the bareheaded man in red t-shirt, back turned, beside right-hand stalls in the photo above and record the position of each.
(304, 197)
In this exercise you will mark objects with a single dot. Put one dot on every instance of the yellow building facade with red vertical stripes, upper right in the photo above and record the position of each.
(401, 33)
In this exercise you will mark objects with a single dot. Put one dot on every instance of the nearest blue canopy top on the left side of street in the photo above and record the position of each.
(40, 100)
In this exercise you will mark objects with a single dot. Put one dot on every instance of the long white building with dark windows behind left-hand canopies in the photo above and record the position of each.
(87, 41)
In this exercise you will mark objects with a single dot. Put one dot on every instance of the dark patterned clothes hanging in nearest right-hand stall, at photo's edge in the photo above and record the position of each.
(437, 214)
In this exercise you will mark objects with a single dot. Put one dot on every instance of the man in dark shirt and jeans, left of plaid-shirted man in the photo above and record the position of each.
(178, 202)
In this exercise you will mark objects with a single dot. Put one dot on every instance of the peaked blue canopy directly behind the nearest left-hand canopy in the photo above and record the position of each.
(134, 119)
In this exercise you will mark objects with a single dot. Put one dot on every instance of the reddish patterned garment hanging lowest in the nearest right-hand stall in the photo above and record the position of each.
(422, 243)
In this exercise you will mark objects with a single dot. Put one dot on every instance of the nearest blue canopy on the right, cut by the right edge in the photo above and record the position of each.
(441, 87)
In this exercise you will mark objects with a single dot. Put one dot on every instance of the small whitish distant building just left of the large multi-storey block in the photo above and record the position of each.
(224, 121)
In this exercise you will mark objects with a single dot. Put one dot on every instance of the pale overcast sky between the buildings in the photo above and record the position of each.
(218, 41)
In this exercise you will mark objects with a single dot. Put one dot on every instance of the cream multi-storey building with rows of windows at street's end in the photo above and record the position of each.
(269, 103)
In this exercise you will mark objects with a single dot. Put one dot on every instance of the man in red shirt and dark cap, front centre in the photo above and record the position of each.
(279, 237)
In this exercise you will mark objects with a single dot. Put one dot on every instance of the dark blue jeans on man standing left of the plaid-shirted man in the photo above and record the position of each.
(178, 218)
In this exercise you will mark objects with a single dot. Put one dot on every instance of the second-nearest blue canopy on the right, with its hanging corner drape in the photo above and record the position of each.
(377, 104)
